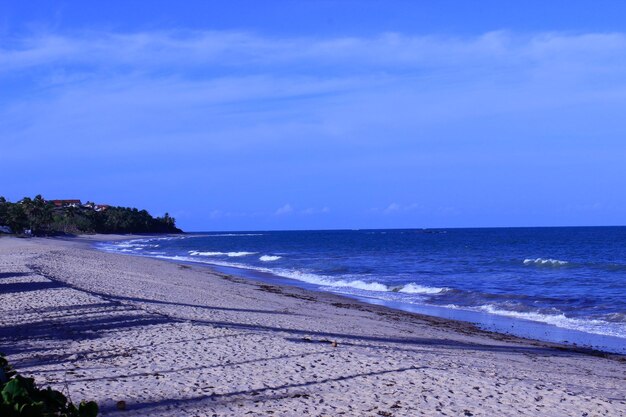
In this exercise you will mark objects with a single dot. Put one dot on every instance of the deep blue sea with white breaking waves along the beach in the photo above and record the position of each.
(559, 284)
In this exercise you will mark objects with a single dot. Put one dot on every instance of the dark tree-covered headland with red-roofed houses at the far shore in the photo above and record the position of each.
(42, 217)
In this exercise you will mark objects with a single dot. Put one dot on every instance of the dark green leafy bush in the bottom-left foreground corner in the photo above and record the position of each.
(20, 397)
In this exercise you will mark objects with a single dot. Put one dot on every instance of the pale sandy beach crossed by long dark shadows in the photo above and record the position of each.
(179, 340)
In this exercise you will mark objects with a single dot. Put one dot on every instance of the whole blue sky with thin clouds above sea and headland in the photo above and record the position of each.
(320, 114)
